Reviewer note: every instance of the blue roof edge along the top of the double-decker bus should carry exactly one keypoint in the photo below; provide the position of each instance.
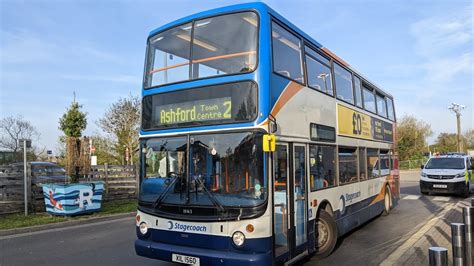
(261, 8)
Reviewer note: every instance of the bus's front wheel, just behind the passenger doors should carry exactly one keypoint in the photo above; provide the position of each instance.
(326, 237)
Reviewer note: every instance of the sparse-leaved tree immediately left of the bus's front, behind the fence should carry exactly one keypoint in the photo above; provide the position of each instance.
(122, 122)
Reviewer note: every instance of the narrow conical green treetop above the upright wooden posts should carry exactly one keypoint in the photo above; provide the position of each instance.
(73, 121)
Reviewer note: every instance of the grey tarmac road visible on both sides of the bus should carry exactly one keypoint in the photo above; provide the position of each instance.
(111, 242)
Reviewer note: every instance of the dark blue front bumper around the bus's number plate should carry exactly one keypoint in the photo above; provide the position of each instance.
(162, 251)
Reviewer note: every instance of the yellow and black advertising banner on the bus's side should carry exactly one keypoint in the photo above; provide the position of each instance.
(355, 124)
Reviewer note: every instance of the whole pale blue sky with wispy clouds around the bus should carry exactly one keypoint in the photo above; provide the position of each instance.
(420, 51)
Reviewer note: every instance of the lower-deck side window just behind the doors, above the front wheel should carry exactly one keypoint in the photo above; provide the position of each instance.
(322, 165)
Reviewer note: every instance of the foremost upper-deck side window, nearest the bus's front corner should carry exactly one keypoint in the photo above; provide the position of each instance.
(286, 54)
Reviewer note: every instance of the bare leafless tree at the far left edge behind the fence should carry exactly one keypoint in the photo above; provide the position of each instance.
(13, 129)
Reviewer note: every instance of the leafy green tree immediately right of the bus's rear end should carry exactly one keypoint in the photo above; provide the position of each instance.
(411, 137)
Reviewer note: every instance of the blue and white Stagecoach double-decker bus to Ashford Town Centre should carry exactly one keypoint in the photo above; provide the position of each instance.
(258, 145)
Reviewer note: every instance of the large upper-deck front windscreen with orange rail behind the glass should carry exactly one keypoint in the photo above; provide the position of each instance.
(220, 45)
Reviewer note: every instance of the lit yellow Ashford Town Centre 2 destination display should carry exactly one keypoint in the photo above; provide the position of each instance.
(194, 111)
